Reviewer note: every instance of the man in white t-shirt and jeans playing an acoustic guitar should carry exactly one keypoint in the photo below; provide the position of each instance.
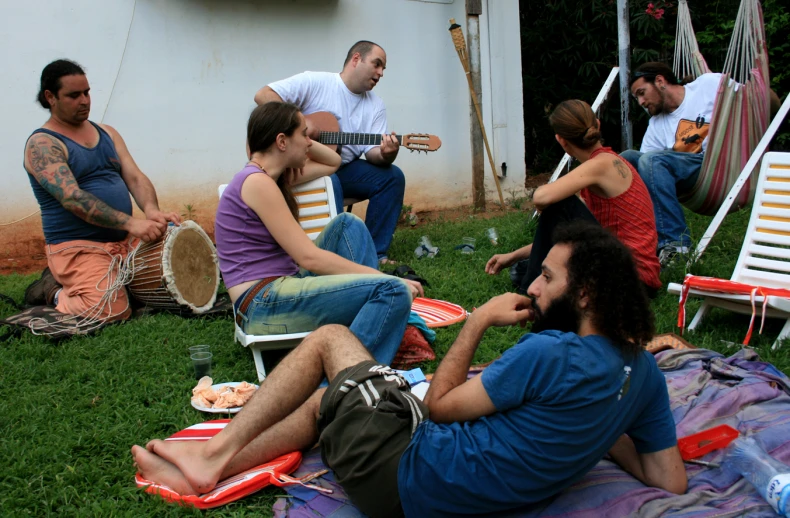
(349, 98)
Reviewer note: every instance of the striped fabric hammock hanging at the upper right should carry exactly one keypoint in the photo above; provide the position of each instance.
(742, 105)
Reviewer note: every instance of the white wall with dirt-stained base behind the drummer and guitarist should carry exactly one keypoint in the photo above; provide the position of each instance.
(177, 78)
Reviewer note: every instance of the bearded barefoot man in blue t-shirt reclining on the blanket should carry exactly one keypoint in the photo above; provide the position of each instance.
(530, 425)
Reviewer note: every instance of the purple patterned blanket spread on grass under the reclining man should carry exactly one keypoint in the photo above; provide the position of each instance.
(706, 389)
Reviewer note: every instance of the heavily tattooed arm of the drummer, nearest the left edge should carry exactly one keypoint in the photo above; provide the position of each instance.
(46, 160)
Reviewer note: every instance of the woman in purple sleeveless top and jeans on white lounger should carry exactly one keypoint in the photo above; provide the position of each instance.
(281, 281)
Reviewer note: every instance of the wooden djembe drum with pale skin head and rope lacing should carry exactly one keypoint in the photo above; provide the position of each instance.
(178, 271)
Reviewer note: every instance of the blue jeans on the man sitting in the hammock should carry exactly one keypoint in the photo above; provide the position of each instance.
(667, 173)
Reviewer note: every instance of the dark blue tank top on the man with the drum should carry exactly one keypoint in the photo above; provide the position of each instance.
(97, 171)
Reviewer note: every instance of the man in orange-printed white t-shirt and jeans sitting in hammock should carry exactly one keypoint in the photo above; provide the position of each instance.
(673, 147)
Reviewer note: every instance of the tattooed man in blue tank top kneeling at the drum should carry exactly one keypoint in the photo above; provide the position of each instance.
(82, 174)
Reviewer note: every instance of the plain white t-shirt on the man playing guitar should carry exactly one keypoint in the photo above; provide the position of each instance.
(326, 92)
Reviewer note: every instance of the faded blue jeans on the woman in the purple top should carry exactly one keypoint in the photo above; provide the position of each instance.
(375, 307)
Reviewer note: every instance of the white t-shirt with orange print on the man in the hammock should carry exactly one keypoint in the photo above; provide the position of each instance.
(686, 129)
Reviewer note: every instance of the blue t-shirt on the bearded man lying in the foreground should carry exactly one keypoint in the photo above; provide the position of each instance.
(562, 402)
